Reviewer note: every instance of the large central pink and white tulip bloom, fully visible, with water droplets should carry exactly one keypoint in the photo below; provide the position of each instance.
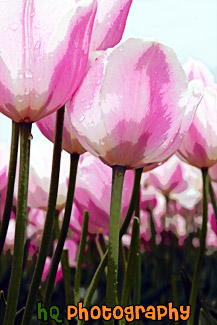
(133, 106)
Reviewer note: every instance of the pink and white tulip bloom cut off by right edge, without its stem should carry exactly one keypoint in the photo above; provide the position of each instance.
(199, 147)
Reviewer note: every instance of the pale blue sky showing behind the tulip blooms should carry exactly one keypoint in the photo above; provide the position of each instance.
(188, 26)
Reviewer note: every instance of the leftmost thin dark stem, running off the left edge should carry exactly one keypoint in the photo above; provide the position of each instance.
(10, 184)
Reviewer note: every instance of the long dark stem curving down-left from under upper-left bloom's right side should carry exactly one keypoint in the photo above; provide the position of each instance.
(49, 219)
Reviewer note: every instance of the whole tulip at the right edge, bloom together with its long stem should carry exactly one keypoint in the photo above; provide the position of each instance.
(199, 148)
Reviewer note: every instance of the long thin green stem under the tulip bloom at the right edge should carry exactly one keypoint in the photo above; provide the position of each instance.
(193, 295)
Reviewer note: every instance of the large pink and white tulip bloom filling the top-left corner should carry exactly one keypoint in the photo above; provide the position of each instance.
(44, 50)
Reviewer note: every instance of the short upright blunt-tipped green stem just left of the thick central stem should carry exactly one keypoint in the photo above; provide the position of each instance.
(80, 258)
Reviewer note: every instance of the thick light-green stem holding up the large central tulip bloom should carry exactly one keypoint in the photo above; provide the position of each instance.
(114, 225)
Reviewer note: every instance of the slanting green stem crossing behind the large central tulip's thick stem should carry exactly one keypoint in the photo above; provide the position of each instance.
(103, 263)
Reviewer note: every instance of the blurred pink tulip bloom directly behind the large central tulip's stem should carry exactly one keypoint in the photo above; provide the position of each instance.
(93, 192)
